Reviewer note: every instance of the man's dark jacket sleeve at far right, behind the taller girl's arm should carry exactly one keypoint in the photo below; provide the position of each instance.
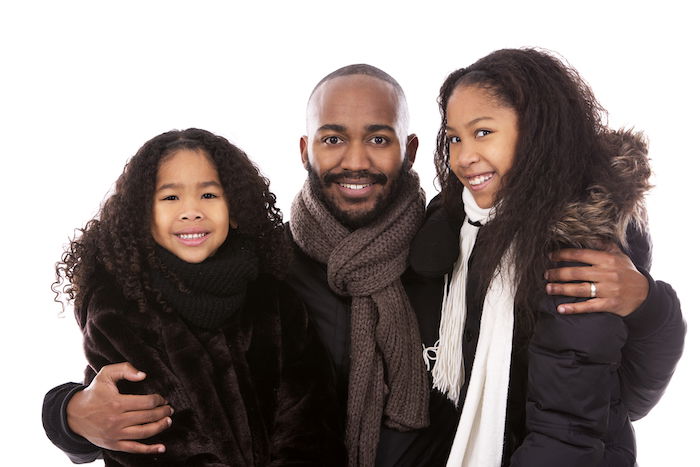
(655, 344)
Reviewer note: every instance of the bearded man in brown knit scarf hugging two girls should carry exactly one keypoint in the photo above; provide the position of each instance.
(351, 224)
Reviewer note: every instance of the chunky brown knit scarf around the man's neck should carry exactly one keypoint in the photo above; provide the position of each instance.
(388, 380)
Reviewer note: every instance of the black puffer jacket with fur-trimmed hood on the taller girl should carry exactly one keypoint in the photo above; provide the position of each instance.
(580, 379)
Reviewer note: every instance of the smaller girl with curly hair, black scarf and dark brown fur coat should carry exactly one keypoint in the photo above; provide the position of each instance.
(179, 275)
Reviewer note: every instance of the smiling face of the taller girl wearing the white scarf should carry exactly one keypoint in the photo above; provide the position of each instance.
(482, 135)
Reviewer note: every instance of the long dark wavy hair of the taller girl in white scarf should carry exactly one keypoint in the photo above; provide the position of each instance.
(560, 152)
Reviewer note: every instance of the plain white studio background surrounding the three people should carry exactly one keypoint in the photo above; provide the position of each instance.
(84, 84)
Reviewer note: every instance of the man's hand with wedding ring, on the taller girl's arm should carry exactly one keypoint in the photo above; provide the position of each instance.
(620, 288)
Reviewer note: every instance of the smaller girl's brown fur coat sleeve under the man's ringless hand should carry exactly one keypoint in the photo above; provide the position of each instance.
(112, 335)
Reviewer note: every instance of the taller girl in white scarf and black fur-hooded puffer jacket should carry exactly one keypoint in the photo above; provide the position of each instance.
(527, 167)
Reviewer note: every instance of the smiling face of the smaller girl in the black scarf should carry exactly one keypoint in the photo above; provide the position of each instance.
(190, 213)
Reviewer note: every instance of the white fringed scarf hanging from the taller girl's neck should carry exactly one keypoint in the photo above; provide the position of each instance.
(480, 433)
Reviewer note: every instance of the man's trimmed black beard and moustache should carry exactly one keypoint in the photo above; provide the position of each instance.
(355, 220)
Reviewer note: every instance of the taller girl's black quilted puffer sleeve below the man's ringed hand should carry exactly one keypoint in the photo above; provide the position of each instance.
(572, 376)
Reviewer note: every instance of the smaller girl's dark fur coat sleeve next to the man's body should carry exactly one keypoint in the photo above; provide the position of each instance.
(308, 423)
